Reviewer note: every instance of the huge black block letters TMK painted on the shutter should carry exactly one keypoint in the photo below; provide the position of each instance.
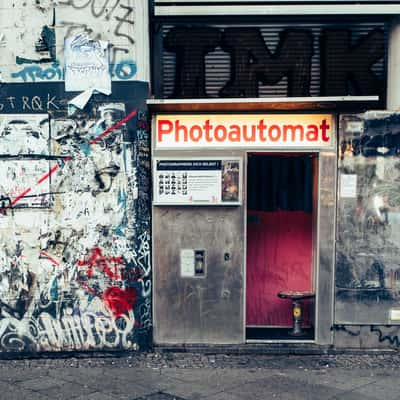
(346, 65)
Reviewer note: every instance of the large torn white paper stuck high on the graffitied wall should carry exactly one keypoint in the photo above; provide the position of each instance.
(86, 64)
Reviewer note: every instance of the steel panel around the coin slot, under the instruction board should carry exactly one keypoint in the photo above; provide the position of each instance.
(201, 309)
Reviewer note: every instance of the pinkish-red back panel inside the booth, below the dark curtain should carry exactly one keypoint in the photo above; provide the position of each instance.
(279, 257)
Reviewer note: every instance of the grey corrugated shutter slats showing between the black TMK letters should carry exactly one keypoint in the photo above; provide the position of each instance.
(218, 61)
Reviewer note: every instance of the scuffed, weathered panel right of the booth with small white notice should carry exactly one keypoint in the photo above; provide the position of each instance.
(368, 220)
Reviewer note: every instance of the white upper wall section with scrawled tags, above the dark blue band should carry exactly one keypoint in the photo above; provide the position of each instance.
(41, 57)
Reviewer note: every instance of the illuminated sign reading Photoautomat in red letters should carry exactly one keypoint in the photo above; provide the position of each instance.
(256, 130)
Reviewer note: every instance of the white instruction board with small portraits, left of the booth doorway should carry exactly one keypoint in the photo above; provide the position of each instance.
(197, 181)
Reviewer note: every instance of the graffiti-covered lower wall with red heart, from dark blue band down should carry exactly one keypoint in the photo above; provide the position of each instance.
(75, 225)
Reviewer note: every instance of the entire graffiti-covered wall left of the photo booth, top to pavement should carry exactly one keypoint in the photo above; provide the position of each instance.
(75, 270)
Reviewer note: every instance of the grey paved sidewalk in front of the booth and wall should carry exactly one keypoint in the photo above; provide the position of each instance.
(185, 376)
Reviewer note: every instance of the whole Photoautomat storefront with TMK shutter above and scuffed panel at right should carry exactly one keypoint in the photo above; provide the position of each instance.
(274, 174)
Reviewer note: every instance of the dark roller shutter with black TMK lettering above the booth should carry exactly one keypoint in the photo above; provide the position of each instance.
(269, 59)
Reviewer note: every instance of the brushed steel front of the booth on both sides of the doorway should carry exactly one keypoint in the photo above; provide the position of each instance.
(211, 309)
